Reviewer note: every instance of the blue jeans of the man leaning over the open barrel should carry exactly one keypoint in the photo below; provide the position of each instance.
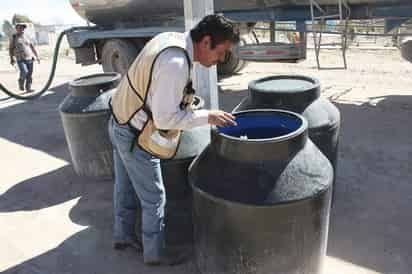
(137, 173)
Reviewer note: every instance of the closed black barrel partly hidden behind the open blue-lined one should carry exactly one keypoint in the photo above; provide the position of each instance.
(299, 94)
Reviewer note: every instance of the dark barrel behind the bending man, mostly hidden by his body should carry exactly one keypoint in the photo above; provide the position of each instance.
(178, 219)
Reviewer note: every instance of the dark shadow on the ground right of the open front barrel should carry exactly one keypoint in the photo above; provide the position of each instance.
(370, 223)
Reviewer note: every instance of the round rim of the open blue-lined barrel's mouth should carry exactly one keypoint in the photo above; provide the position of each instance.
(300, 130)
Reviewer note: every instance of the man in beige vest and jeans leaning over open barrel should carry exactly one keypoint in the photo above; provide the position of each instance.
(151, 106)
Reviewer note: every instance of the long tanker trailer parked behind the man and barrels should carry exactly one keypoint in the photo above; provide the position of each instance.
(121, 28)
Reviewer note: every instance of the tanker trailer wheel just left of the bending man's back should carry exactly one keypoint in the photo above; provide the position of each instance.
(117, 56)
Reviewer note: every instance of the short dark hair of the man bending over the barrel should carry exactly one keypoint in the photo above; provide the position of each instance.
(219, 28)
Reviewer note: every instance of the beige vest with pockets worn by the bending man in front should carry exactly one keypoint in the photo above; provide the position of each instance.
(132, 92)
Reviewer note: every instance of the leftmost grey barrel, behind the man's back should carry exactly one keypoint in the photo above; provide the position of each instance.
(84, 114)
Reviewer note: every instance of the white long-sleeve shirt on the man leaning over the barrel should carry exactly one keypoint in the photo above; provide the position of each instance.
(169, 78)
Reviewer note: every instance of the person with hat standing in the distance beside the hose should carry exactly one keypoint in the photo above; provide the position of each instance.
(22, 51)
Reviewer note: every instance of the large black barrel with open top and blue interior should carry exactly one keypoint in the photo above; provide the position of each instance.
(261, 197)
